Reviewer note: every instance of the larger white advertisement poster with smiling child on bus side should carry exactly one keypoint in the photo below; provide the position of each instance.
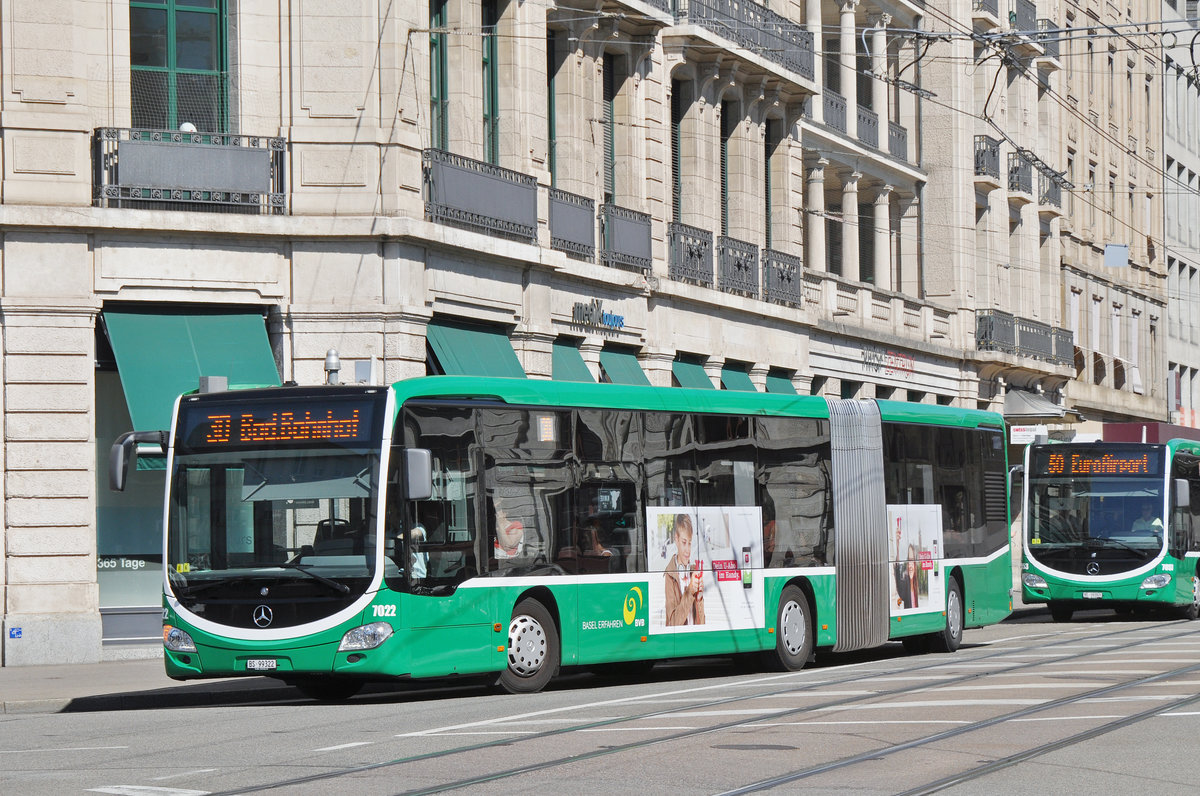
(711, 559)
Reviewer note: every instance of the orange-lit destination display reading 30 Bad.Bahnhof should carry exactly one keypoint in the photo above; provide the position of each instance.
(317, 422)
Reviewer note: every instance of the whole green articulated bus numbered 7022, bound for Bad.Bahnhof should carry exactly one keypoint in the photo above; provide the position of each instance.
(333, 536)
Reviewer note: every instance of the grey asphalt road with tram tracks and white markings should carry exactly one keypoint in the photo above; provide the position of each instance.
(1096, 707)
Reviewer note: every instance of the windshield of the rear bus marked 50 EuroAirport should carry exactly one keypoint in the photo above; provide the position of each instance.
(1082, 517)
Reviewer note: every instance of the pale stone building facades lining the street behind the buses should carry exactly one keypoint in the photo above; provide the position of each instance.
(701, 194)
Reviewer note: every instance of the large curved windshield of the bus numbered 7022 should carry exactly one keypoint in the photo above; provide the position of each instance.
(284, 519)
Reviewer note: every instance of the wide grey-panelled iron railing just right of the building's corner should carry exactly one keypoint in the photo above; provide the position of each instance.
(481, 196)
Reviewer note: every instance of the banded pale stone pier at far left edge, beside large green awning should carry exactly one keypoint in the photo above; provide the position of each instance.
(52, 602)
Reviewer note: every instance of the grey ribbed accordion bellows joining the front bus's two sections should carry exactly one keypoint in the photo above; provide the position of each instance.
(860, 511)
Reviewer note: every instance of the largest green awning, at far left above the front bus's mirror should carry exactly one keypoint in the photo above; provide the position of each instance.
(163, 355)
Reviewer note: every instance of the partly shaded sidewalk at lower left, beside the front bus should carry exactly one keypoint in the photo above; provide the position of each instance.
(125, 685)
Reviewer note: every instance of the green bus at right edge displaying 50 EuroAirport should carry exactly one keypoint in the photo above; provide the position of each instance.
(1113, 525)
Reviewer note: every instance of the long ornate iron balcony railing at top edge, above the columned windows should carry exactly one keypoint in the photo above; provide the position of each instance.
(754, 28)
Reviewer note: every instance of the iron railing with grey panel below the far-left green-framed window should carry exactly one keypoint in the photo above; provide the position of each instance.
(171, 170)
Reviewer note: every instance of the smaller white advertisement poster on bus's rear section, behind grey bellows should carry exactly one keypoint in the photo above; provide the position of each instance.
(915, 550)
